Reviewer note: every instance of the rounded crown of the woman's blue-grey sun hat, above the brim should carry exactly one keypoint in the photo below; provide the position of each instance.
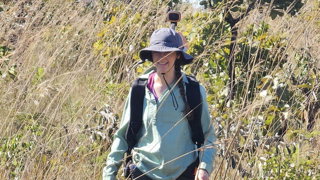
(166, 37)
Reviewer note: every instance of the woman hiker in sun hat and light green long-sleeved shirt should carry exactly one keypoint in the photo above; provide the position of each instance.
(165, 149)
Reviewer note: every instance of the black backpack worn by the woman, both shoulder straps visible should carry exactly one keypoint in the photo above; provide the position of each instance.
(194, 100)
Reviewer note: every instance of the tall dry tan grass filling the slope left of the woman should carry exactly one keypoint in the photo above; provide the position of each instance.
(51, 109)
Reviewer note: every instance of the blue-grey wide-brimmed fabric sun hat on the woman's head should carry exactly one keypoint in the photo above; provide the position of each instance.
(165, 40)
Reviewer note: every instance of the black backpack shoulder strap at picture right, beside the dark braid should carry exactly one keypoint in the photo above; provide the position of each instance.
(194, 100)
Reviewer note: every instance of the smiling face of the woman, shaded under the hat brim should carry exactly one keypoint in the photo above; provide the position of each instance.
(164, 61)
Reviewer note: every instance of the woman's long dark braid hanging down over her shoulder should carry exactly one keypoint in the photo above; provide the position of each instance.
(178, 74)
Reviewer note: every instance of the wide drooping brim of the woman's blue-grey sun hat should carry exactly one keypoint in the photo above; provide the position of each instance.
(146, 53)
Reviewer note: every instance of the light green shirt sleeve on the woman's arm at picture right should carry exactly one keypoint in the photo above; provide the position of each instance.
(208, 153)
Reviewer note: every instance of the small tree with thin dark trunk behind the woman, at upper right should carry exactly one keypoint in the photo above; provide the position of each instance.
(234, 11)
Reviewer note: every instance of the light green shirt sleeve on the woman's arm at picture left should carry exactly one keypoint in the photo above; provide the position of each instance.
(119, 145)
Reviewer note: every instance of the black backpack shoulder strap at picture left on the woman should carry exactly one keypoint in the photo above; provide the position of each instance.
(136, 112)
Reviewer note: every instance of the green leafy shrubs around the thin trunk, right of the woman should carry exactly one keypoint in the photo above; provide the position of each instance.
(264, 74)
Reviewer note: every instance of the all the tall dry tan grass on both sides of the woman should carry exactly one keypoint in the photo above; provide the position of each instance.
(69, 59)
